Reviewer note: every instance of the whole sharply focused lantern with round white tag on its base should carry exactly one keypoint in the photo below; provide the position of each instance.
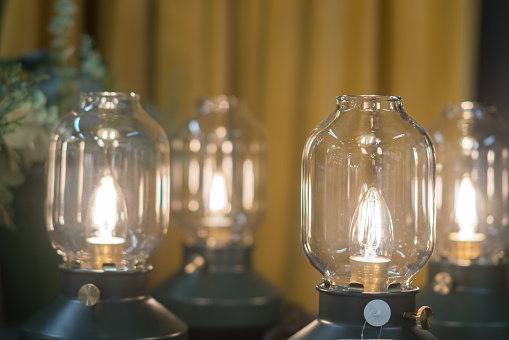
(368, 176)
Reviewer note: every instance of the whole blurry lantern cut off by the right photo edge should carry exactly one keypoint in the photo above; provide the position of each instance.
(468, 286)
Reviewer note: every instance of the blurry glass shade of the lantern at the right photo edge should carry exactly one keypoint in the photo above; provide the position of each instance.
(472, 149)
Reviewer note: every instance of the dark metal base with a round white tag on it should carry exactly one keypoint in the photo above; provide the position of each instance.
(344, 315)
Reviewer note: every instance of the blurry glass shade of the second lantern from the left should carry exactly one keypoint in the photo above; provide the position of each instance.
(218, 166)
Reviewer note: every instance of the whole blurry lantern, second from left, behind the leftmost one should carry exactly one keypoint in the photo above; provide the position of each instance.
(218, 170)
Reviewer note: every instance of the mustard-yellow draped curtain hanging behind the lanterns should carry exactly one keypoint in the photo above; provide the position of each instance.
(288, 60)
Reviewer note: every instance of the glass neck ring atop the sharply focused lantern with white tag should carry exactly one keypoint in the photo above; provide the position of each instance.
(369, 103)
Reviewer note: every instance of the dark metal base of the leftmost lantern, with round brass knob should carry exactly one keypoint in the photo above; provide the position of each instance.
(103, 305)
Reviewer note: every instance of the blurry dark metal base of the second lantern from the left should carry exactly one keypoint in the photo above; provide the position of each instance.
(219, 296)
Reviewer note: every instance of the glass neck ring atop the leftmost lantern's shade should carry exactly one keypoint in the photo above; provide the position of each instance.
(110, 101)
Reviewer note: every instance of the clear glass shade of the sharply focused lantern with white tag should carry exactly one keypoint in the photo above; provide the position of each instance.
(368, 176)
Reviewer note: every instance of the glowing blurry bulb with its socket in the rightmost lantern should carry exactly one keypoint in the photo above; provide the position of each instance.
(466, 243)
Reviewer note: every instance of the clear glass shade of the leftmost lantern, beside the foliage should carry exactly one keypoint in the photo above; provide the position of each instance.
(108, 184)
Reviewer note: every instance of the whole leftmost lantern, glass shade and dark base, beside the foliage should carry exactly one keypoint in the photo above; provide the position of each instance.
(107, 210)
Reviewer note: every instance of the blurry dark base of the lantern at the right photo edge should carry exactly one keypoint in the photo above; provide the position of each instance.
(470, 302)
